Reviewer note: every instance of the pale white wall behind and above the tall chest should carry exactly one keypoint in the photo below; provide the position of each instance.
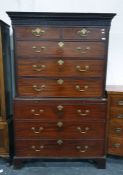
(115, 58)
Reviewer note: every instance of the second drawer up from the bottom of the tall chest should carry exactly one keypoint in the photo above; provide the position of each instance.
(59, 129)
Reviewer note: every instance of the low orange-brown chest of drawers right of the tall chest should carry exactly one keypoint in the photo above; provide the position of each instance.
(115, 120)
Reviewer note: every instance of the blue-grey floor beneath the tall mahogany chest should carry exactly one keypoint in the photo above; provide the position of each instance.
(114, 167)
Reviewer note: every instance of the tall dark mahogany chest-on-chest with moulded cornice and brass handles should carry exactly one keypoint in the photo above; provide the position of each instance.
(60, 71)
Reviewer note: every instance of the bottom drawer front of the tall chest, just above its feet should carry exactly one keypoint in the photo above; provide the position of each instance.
(53, 148)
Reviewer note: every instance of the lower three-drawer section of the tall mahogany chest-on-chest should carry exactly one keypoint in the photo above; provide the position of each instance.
(59, 127)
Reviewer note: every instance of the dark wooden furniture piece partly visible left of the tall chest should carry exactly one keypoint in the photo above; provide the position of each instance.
(5, 88)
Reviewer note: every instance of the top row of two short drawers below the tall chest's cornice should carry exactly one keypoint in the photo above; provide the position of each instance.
(51, 32)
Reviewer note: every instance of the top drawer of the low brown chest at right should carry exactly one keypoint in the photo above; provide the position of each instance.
(116, 101)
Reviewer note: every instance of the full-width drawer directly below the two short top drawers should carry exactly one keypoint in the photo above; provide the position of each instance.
(60, 49)
